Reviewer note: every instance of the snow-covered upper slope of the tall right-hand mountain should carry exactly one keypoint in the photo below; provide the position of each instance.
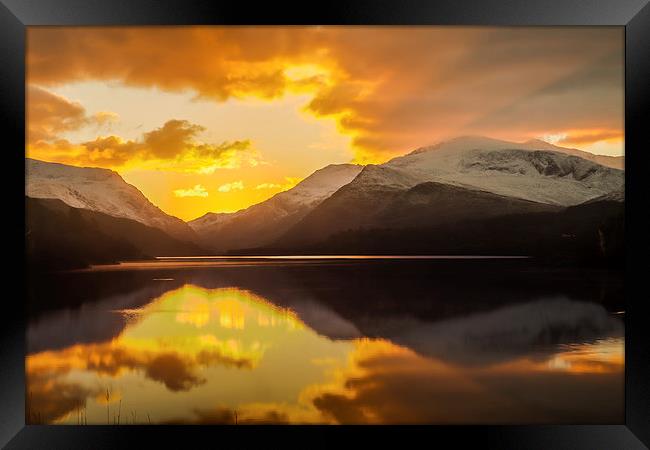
(508, 168)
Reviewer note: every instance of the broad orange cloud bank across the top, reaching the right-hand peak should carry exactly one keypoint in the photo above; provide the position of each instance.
(391, 89)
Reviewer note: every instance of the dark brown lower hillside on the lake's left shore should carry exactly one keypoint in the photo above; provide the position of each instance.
(62, 237)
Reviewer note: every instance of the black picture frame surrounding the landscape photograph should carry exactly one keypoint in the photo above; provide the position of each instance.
(634, 15)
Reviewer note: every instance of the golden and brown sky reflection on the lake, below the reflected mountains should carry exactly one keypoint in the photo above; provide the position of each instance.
(227, 355)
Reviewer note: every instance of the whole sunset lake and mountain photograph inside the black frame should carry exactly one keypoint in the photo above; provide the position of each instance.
(231, 225)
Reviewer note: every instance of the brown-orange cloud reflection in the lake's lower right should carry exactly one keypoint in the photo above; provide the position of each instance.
(392, 385)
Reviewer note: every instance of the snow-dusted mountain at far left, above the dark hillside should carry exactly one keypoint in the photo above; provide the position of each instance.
(99, 190)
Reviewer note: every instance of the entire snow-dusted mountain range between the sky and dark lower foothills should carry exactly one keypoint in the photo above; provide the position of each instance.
(465, 178)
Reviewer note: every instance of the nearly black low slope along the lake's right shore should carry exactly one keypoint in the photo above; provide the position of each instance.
(590, 234)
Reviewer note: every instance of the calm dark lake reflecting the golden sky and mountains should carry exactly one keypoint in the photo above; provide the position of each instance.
(312, 341)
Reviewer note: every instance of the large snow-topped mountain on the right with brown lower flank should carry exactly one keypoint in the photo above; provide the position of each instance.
(446, 185)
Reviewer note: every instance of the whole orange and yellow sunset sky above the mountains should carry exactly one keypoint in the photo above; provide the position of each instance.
(215, 119)
